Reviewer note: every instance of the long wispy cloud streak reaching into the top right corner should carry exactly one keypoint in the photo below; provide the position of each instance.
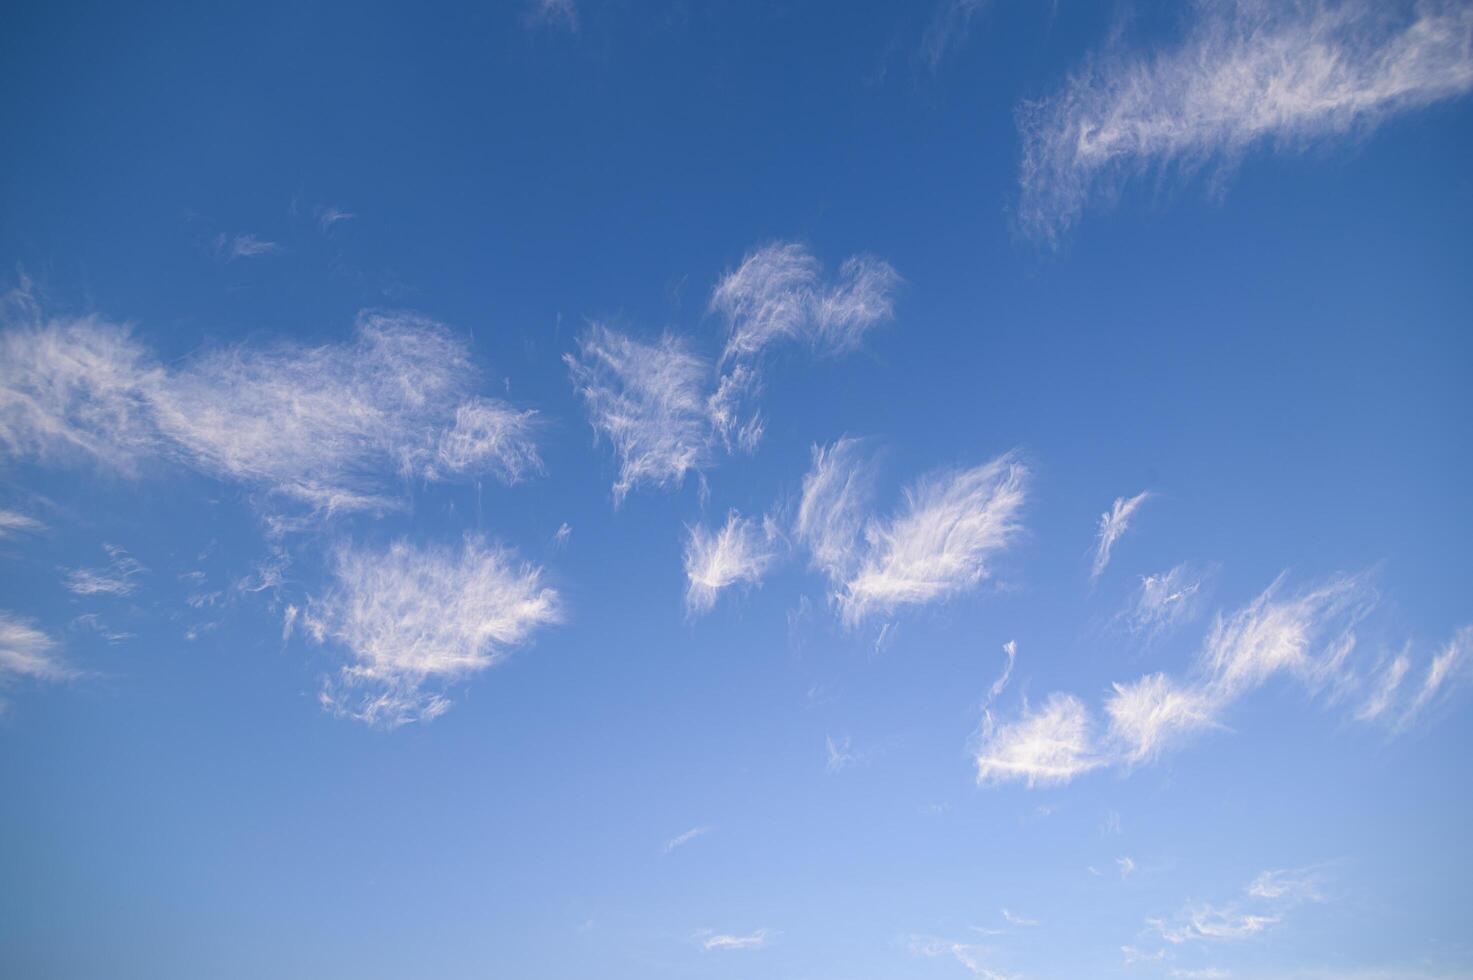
(1248, 74)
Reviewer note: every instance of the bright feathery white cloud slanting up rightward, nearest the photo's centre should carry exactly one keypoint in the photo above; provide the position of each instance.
(942, 542)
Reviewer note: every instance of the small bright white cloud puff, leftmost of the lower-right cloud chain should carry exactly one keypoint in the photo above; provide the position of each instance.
(1044, 748)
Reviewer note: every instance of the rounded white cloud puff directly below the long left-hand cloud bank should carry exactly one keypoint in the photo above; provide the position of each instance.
(419, 618)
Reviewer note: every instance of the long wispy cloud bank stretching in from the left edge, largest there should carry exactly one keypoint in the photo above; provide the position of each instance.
(334, 427)
